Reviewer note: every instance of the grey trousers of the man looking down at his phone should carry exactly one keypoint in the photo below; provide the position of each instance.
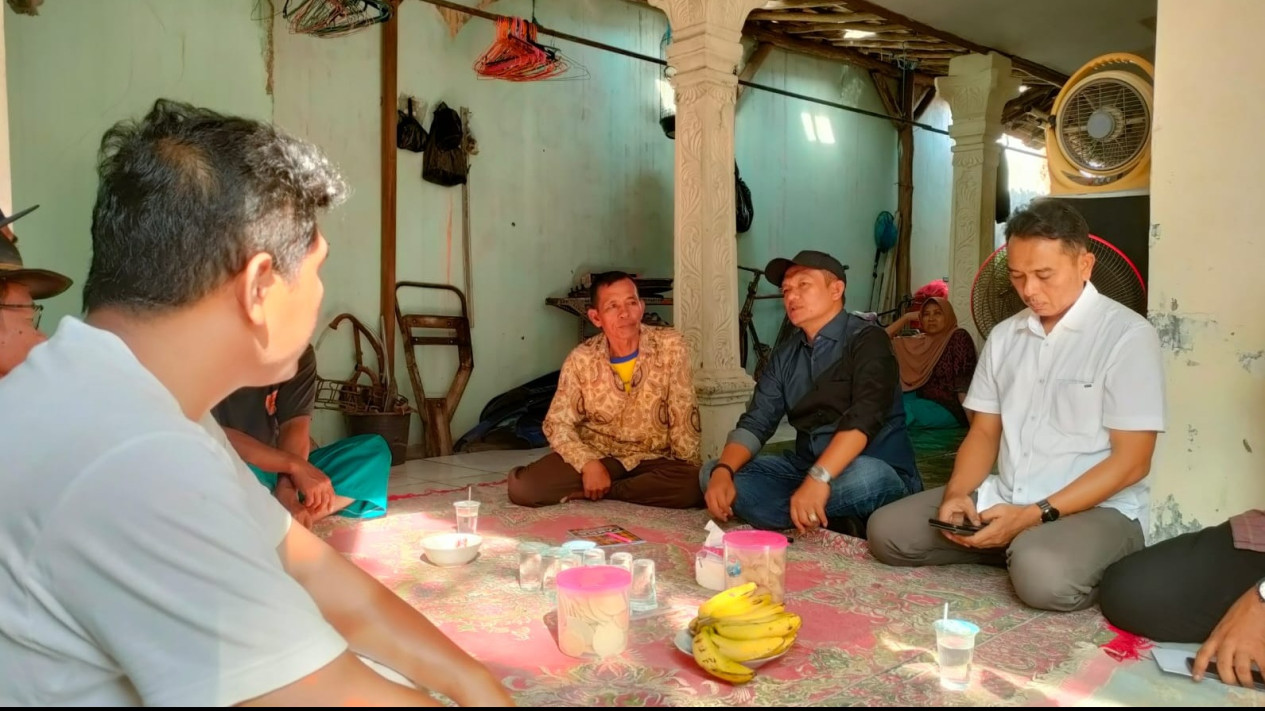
(1054, 566)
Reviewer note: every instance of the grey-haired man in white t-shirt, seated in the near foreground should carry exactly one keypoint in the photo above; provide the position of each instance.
(141, 562)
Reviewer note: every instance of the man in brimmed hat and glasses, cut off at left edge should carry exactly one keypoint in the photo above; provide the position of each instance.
(20, 289)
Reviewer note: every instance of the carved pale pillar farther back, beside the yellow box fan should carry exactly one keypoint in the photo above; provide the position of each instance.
(977, 89)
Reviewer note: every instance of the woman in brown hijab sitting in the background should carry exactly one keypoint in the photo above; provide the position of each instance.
(937, 366)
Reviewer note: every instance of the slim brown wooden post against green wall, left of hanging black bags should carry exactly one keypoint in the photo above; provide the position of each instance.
(390, 90)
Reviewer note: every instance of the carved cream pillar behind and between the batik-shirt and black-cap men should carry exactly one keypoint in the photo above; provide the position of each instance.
(707, 49)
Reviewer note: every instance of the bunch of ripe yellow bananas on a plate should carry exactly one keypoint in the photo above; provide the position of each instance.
(737, 627)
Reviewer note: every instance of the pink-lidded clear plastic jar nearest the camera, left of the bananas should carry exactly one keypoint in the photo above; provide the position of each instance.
(594, 612)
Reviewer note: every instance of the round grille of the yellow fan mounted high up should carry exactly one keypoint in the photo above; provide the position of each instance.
(1105, 125)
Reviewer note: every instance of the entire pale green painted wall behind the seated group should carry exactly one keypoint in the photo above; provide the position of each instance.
(572, 176)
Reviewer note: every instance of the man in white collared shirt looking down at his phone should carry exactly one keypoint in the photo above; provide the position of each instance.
(1068, 400)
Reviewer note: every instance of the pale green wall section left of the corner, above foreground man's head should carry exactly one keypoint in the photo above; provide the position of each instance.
(83, 65)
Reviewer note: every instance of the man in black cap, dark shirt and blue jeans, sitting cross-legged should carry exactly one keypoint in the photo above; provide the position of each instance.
(839, 385)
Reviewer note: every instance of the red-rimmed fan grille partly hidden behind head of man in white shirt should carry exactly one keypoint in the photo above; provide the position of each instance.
(994, 299)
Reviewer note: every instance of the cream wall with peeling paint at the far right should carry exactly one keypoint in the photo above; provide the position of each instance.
(1207, 261)
